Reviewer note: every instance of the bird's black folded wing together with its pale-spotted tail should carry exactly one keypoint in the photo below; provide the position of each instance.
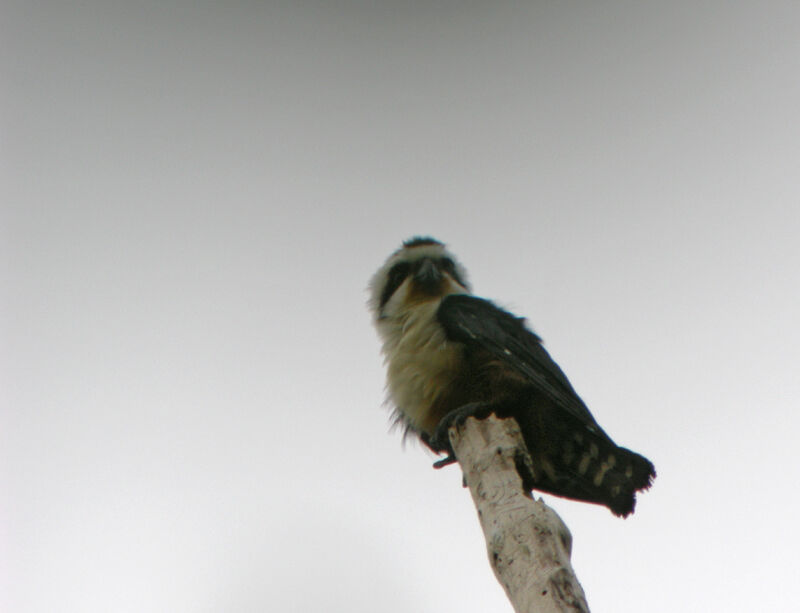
(571, 455)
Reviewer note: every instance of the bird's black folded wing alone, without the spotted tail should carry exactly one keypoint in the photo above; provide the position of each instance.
(478, 323)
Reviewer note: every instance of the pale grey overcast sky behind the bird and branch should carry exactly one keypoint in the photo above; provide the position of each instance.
(194, 197)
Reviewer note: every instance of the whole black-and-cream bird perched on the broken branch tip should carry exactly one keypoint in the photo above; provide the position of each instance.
(450, 355)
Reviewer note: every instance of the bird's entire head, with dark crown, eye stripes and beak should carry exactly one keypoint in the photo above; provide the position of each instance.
(420, 271)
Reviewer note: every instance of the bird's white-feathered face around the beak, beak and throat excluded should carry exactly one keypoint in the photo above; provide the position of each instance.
(391, 286)
